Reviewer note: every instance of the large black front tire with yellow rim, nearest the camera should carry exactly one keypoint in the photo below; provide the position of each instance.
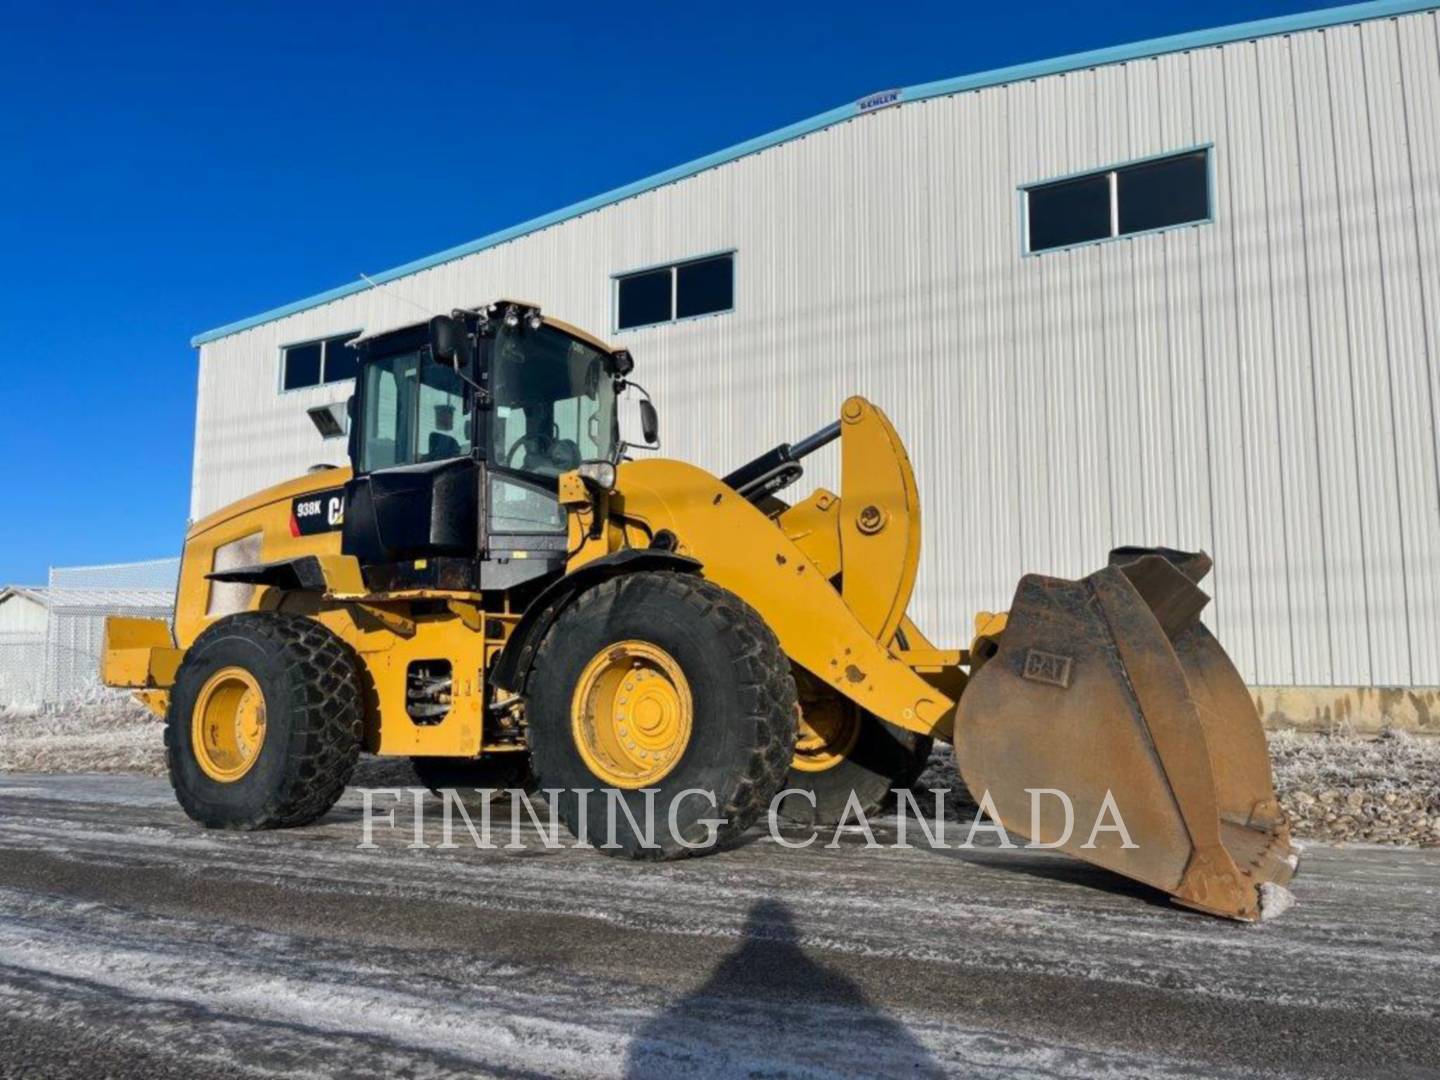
(735, 686)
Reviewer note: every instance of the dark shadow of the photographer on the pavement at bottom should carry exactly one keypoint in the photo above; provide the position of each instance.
(762, 1006)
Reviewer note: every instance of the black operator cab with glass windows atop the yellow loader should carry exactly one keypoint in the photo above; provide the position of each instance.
(460, 433)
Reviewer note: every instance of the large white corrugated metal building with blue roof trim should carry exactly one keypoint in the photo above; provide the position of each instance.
(1259, 382)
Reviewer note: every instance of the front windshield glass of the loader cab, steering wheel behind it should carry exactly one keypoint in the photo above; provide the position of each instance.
(554, 402)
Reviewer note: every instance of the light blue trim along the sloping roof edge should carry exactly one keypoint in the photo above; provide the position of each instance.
(1157, 47)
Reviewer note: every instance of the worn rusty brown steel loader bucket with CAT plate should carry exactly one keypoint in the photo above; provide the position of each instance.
(1112, 692)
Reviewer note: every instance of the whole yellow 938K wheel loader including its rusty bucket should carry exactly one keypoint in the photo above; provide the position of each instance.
(496, 590)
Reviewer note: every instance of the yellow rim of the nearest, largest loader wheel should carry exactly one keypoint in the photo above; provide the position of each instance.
(631, 715)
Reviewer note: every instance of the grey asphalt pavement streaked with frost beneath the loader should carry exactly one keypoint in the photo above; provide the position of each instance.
(136, 945)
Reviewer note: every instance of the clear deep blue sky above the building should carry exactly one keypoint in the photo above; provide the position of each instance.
(169, 169)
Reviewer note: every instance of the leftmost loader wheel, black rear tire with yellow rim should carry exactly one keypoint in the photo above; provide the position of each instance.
(309, 722)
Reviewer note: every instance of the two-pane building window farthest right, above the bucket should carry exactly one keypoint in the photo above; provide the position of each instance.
(1158, 194)
